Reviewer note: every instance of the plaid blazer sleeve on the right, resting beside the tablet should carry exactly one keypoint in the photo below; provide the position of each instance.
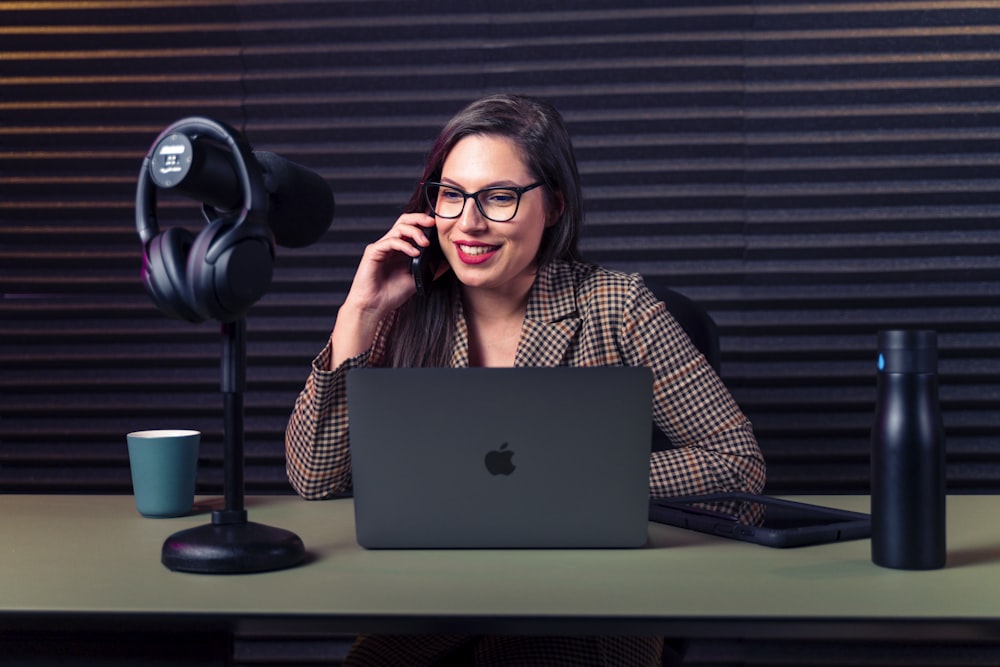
(714, 447)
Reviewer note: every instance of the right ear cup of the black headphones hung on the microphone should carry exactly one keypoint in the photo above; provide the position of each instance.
(226, 289)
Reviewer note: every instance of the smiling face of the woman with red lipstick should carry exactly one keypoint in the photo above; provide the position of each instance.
(483, 253)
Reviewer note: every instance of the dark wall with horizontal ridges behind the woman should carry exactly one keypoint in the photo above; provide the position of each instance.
(810, 172)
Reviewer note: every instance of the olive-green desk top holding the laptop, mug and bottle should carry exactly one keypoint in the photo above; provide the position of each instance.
(92, 562)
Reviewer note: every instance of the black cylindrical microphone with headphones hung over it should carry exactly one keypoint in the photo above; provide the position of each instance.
(300, 202)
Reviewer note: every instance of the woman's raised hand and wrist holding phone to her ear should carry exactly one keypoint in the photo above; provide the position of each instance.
(382, 283)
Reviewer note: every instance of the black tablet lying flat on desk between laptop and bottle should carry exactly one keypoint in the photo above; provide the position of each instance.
(773, 522)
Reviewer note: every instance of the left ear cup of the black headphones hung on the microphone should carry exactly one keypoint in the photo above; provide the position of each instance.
(164, 273)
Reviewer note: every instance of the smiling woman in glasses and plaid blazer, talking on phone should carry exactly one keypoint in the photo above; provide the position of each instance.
(501, 190)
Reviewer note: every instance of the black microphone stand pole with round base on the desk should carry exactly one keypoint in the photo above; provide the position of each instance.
(231, 544)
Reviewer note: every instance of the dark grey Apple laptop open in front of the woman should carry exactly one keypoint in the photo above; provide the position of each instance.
(452, 458)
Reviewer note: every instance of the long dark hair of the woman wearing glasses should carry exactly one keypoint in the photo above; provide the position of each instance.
(422, 334)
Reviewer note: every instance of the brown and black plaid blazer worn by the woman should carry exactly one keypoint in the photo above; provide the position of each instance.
(578, 315)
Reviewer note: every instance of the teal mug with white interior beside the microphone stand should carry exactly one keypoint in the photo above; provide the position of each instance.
(164, 467)
